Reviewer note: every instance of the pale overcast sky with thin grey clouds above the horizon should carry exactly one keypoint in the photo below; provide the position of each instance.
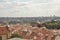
(29, 8)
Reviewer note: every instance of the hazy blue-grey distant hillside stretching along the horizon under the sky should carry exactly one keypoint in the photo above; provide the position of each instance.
(27, 19)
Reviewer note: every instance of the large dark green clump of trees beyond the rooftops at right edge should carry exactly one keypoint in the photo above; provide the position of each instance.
(52, 25)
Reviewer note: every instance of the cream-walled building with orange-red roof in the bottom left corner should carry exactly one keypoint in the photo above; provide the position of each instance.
(4, 33)
